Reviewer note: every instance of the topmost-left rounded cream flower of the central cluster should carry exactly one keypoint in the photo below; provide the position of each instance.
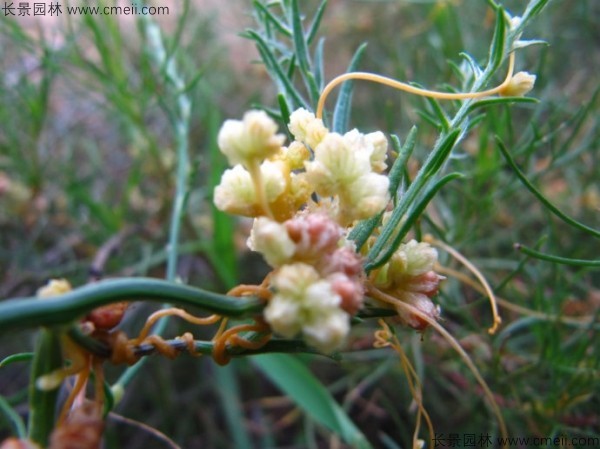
(251, 140)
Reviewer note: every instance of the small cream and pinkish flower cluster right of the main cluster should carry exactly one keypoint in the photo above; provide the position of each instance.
(409, 276)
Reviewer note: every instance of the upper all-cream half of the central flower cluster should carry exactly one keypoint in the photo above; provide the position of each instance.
(344, 170)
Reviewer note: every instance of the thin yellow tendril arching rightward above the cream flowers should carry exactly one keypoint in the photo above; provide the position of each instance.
(366, 76)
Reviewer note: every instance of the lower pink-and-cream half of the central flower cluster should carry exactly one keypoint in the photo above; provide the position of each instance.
(317, 282)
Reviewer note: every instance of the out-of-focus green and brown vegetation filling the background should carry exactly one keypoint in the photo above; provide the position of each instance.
(87, 163)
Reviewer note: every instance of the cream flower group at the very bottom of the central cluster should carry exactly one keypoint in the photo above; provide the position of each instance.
(305, 303)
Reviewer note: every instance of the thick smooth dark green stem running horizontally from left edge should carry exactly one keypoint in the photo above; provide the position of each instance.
(64, 309)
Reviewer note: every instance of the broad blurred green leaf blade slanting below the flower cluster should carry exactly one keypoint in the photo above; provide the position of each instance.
(295, 380)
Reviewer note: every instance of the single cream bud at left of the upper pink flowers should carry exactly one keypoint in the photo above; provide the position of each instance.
(271, 240)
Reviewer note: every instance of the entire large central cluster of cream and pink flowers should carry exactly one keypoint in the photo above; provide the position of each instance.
(303, 197)
